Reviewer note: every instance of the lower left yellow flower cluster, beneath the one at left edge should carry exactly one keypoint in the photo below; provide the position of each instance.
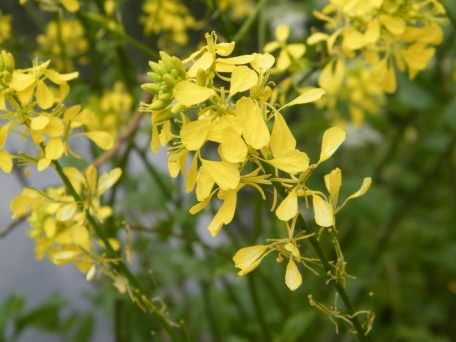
(59, 223)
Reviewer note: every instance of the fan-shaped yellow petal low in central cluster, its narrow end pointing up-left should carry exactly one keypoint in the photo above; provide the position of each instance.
(226, 175)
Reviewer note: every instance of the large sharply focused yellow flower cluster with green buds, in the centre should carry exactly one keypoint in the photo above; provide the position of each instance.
(218, 111)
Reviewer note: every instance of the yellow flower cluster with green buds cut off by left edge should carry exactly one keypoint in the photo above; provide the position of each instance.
(31, 107)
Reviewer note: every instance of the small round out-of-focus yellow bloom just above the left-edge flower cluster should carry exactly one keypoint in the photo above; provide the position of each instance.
(63, 42)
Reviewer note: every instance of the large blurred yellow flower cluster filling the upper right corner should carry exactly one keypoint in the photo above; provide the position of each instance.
(378, 37)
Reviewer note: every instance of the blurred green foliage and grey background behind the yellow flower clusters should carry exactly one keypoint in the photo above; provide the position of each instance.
(399, 240)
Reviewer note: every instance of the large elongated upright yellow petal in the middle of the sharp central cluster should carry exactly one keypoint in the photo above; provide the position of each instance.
(255, 130)
